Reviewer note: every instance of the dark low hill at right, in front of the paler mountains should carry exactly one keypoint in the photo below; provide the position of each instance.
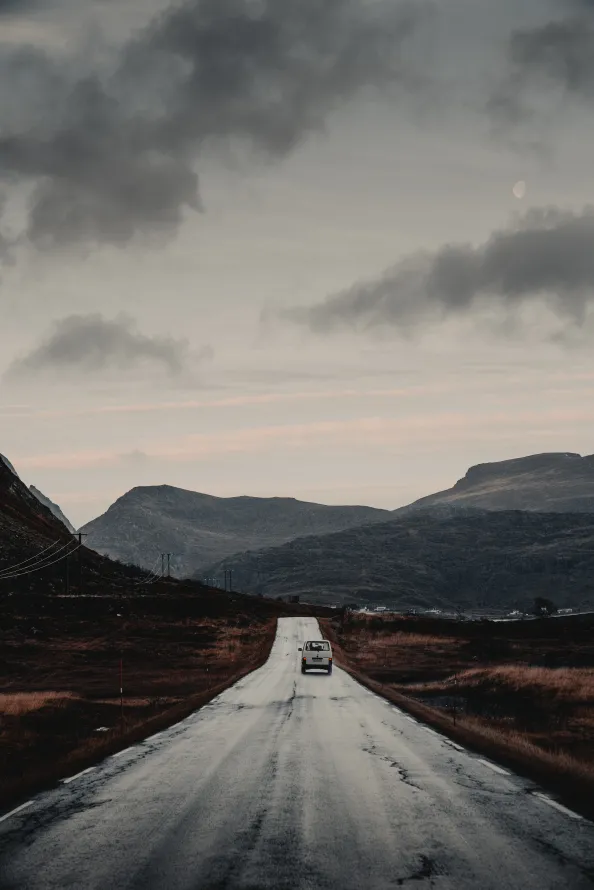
(435, 558)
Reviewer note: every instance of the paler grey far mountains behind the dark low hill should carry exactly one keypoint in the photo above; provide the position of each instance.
(200, 530)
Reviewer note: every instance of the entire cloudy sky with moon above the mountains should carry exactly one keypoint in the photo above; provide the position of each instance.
(337, 250)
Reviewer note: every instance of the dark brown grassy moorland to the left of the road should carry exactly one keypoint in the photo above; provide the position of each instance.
(63, 660)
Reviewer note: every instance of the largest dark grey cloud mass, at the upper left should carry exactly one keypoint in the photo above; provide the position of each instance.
(118, 159)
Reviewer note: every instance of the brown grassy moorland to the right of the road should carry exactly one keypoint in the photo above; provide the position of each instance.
(521, 693)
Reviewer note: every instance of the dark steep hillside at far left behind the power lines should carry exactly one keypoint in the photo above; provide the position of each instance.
(39, 559)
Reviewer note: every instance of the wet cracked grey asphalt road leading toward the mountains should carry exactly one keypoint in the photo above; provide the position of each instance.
(291, 781)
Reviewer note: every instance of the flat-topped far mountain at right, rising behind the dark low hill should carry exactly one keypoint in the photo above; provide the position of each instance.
(554, 482)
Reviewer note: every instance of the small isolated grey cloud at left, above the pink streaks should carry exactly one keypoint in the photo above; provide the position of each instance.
(92, 343)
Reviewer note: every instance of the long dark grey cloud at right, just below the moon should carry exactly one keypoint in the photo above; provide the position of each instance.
(548, 254)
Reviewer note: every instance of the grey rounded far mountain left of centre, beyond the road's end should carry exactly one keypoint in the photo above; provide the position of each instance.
(198, 529)
